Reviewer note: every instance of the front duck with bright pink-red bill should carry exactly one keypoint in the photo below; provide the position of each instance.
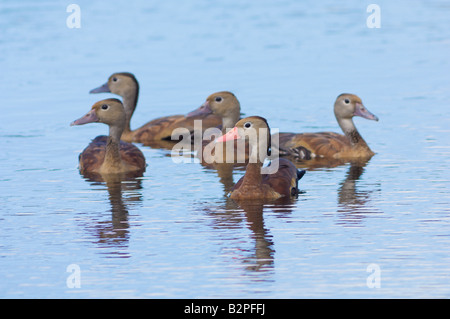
(281, 182)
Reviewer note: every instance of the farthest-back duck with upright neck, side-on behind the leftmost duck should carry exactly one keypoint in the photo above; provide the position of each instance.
(126, 85)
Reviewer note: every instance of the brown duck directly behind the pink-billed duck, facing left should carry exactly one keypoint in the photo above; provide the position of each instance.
(226, 106)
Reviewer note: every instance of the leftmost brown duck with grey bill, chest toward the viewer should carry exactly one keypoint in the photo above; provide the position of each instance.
(108, 154)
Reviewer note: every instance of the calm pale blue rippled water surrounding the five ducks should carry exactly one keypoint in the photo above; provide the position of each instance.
(173, 233)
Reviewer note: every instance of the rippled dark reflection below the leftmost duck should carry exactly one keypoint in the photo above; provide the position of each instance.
(114, 231)
